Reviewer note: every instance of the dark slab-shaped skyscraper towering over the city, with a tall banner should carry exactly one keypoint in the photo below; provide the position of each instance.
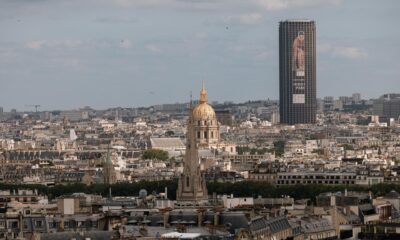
(297, 72)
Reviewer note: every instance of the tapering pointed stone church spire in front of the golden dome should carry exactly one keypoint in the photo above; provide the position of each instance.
(191, 184)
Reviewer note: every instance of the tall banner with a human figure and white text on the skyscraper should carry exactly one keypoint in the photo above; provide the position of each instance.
(298, 68)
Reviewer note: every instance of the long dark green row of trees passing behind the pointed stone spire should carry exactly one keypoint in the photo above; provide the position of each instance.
(239, 189)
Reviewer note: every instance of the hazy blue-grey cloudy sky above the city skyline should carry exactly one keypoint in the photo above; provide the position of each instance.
(66, 54)
